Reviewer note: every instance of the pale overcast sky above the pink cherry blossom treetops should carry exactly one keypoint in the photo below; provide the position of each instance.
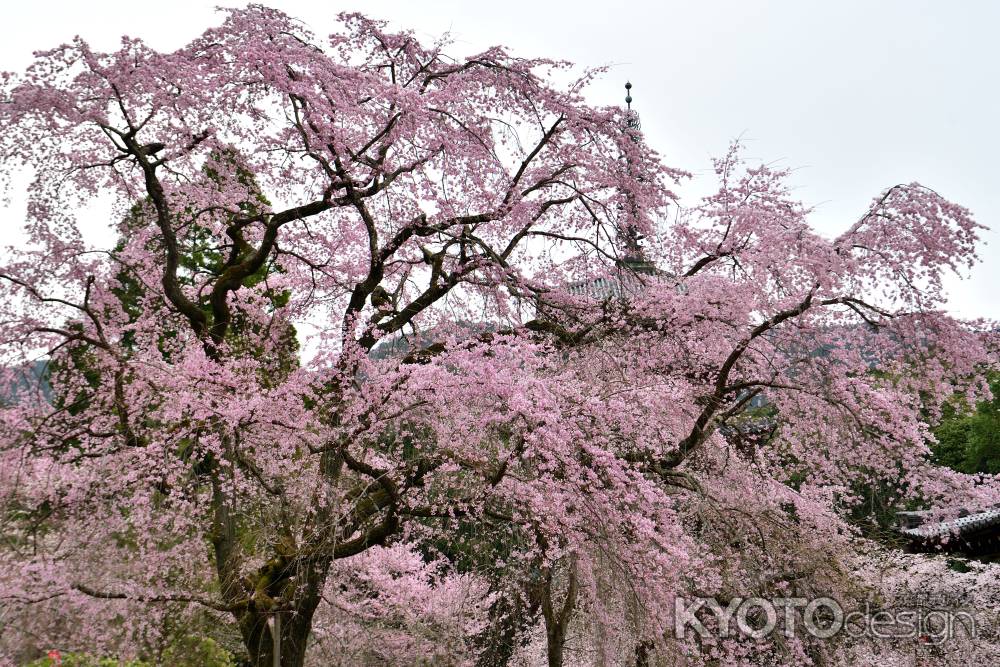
(853, 95)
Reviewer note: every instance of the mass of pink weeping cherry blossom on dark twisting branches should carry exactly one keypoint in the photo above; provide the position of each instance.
(370, 360)
